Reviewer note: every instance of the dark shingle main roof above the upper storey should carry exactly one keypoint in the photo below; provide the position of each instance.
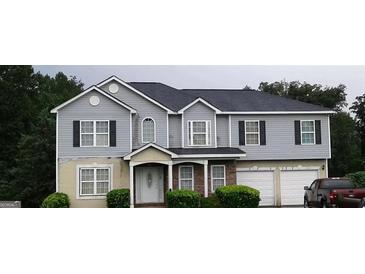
(223, 99)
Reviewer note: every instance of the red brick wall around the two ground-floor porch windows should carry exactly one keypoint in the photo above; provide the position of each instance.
(199, 174)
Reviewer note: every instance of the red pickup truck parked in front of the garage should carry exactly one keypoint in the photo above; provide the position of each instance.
(333, 192)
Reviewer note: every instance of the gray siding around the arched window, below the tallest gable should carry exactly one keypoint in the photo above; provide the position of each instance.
(144, 109)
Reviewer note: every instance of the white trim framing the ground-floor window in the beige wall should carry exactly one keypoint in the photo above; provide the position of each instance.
(78, 181)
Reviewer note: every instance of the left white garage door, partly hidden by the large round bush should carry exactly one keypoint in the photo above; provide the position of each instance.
(262, 181)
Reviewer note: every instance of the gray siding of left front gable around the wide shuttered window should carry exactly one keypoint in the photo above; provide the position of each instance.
(82, 110)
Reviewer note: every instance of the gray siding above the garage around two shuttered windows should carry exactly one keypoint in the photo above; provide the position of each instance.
(280, 143)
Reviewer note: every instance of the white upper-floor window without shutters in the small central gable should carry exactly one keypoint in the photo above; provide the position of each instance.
(199, 133)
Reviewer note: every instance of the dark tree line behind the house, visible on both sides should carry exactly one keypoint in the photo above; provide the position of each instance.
(28, 129)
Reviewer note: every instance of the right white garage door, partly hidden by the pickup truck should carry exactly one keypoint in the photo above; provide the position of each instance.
(292, 185)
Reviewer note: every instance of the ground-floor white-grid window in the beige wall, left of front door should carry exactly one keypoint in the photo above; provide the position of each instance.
(94, 181)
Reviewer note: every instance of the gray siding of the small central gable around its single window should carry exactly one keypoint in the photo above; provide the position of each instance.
(199, 111)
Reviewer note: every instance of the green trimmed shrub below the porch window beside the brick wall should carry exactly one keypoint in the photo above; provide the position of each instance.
(183, 198)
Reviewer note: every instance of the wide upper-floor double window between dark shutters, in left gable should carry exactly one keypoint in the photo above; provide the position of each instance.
(94, 133)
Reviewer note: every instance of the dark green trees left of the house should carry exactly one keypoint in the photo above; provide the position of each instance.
(30, 162)
